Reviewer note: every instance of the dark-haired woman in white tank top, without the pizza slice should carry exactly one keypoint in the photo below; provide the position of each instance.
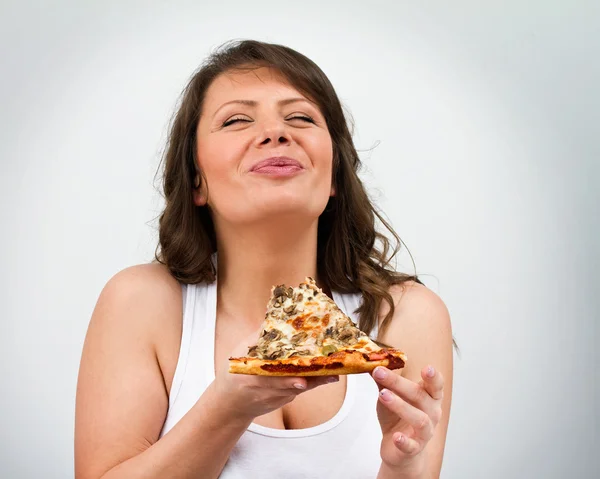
(261, 169)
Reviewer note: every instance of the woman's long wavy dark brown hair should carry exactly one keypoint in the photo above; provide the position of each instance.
(352, 256)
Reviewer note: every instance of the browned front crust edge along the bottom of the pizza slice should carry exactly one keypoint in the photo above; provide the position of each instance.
(342, 362)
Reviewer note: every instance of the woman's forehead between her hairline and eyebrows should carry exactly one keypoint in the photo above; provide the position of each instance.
(254, 84)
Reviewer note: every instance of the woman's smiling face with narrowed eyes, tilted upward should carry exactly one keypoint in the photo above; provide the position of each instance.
(264, 150)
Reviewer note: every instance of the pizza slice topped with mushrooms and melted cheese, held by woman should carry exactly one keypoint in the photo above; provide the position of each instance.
(306, 334)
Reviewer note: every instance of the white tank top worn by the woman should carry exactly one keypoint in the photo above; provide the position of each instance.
(346, 446)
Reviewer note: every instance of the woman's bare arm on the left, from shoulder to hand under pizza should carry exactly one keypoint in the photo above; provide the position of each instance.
(122, 392)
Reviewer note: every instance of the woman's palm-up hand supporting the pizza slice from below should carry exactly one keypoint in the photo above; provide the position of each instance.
(248, 396)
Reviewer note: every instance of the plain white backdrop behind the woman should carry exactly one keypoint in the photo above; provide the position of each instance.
(486, 116)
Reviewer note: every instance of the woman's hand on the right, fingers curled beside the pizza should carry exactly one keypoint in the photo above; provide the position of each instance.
(408, 413)
